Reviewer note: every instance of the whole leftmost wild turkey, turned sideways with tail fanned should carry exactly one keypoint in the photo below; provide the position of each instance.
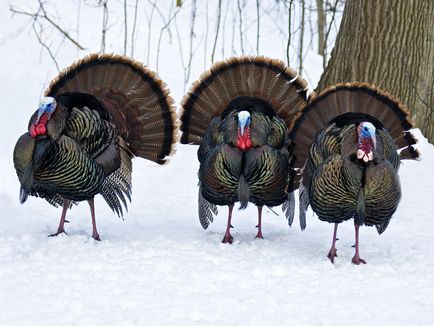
(95, 117)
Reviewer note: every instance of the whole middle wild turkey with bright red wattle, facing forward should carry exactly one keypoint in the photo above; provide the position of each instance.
(238, 112)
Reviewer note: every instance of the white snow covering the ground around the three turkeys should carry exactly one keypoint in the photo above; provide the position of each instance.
(159, 267)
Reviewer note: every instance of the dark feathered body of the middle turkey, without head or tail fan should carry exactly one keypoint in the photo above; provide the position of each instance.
(259, 174)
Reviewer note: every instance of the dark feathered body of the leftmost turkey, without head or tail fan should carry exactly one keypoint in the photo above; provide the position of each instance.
(80, 149)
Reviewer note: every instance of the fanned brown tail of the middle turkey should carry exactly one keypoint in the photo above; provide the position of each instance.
(259, 77)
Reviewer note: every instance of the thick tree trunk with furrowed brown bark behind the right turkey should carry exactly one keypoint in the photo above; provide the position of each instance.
(389, 43)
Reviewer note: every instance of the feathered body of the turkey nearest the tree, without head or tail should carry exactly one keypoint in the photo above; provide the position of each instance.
(341, 186)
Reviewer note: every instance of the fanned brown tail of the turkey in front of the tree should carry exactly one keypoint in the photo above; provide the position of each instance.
(352, 97)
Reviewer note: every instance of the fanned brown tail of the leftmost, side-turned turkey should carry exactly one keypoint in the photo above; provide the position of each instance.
(137, 99)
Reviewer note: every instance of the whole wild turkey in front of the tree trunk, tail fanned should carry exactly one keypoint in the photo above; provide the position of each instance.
(348, 139)
